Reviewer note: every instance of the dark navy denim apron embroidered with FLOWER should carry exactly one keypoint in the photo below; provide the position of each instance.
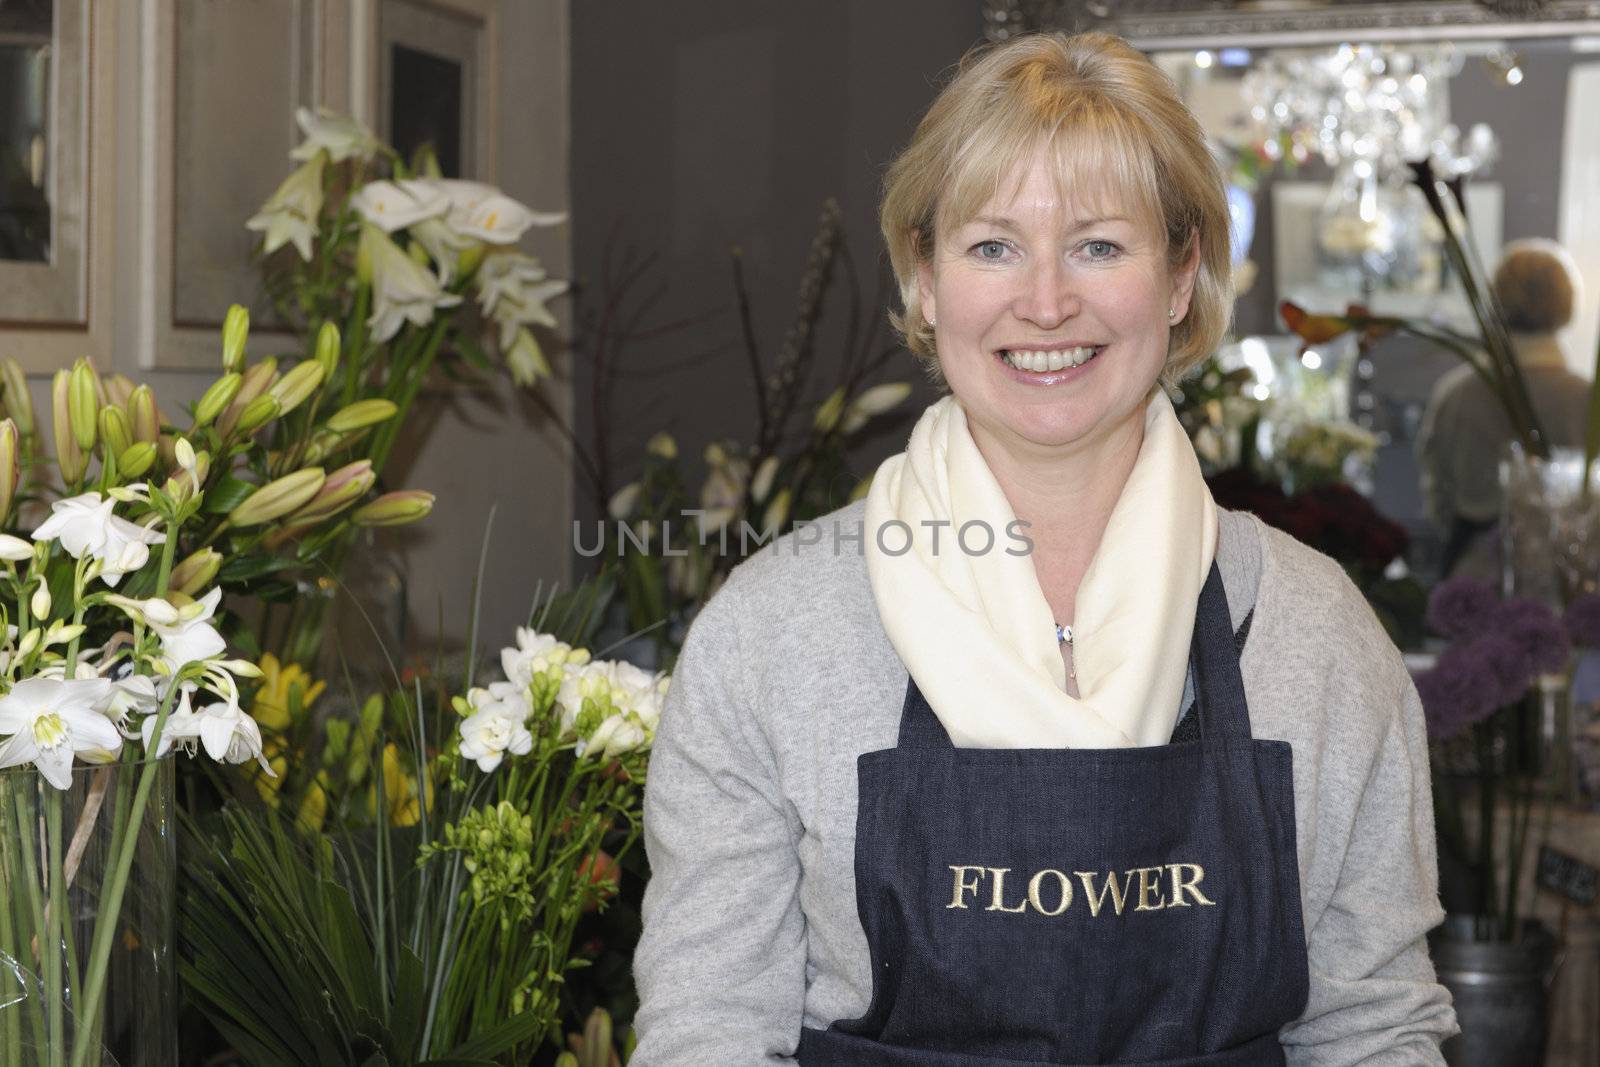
(1073, 906)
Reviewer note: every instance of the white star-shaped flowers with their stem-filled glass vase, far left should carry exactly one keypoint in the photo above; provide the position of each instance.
(97, 687)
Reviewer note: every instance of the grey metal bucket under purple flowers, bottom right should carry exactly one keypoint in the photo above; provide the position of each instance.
(1502, 993)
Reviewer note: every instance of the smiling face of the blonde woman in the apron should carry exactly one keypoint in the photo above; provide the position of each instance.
(1052, 324)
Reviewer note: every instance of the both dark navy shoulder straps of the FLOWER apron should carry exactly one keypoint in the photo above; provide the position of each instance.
(1214, 657)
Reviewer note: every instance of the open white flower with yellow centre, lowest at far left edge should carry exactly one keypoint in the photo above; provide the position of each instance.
(50, 722)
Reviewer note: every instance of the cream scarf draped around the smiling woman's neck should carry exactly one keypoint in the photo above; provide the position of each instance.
(974, 628)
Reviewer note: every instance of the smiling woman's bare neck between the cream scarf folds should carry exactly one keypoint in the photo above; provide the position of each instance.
(1066, 498)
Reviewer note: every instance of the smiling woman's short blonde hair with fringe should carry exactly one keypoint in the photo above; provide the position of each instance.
(1119, 135)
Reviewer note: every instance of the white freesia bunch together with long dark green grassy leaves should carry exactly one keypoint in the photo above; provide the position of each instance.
(449, 940)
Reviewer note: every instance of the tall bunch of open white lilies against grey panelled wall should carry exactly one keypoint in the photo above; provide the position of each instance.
(385, 254)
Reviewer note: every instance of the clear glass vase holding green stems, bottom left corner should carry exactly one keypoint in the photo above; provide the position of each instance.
(87, 901)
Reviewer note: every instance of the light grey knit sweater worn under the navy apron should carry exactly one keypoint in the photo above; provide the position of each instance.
(786, 677)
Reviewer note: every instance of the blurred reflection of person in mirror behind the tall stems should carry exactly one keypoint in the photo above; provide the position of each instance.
(1465, 430)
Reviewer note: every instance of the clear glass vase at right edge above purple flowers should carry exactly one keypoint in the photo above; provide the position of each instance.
(1550, 527)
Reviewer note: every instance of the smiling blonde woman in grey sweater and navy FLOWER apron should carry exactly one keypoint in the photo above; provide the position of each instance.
(913, 797)
